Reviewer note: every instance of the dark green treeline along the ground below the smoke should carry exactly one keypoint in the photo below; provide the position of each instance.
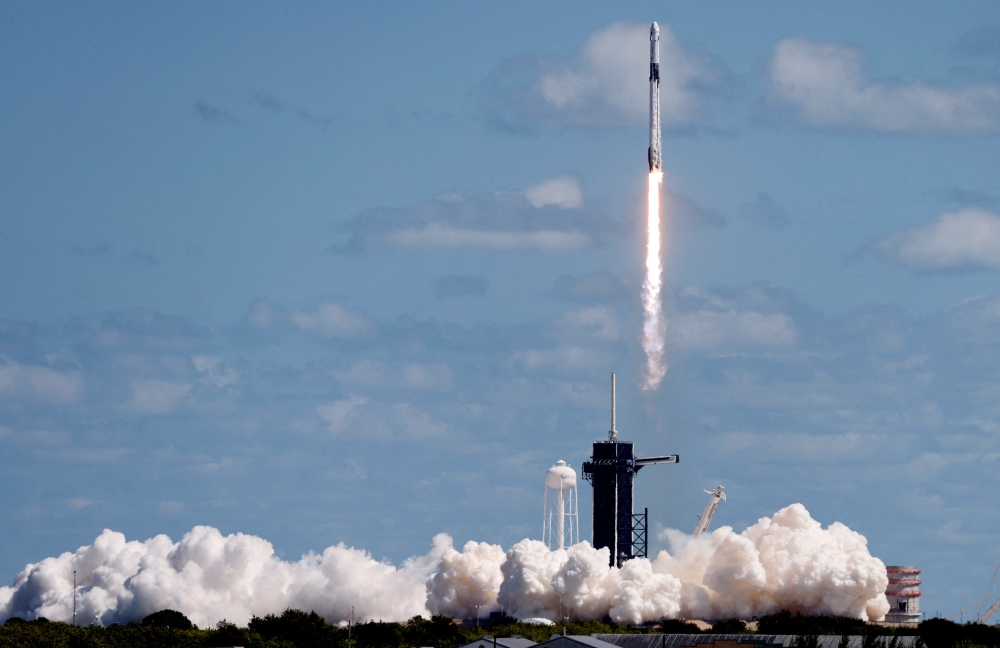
(297, 629)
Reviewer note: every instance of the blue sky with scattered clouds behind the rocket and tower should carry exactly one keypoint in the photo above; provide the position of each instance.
(343, 272)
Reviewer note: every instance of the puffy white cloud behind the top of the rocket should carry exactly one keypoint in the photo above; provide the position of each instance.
(607, 83)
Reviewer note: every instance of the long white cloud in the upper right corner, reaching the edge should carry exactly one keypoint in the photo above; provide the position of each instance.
(826, 83)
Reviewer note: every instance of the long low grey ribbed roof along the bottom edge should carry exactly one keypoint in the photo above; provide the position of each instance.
(739, 641)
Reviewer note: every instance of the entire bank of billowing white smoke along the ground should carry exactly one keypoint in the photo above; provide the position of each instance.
(787, 561)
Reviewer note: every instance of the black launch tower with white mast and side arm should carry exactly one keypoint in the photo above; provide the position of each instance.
(611, 471)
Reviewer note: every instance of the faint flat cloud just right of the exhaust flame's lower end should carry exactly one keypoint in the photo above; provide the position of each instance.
(714, 330)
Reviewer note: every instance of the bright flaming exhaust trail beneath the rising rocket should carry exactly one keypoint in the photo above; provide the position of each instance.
(654, 326)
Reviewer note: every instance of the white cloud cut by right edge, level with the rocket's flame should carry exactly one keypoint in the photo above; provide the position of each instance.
(967, 238)
